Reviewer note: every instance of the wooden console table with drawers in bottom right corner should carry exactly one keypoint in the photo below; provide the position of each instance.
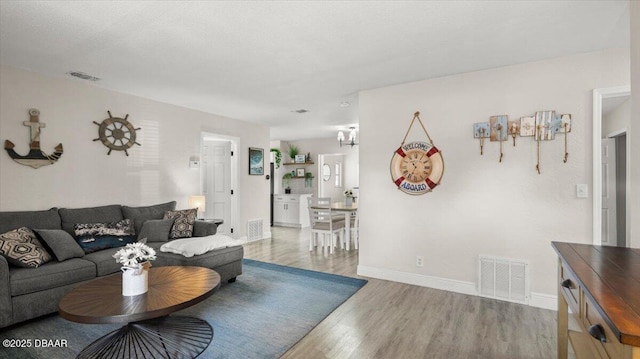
(601, 286)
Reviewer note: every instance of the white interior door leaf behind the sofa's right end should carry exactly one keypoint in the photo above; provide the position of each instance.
(216, 163)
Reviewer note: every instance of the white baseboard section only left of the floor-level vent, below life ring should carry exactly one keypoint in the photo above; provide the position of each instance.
(451, 285)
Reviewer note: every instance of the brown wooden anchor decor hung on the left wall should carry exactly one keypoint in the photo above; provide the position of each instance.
(35, 158)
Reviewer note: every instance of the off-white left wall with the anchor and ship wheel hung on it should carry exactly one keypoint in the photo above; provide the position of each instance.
(157, 171)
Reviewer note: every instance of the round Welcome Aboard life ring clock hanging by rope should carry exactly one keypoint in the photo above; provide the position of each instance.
(417, 167)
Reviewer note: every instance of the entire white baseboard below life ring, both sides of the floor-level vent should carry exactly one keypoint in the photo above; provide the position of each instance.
(539, 300)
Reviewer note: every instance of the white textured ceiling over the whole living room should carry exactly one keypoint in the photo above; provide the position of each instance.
(259, 61)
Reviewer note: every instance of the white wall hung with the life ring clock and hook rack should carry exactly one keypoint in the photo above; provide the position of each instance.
(482, 206)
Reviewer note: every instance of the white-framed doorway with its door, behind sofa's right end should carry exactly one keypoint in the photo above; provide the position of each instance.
(219, 179)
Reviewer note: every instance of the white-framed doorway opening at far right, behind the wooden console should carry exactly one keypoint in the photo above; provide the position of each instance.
(610, 177)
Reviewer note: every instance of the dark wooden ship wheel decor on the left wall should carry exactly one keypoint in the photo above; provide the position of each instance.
(117, 133)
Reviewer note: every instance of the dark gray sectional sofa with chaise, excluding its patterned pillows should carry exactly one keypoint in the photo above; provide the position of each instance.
(27, 293)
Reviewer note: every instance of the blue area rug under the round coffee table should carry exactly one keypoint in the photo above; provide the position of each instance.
(263, 314)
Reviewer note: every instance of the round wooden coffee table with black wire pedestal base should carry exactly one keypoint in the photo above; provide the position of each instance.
(150, 332)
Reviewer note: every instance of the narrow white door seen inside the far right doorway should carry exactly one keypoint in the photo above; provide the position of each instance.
(609, 224)
